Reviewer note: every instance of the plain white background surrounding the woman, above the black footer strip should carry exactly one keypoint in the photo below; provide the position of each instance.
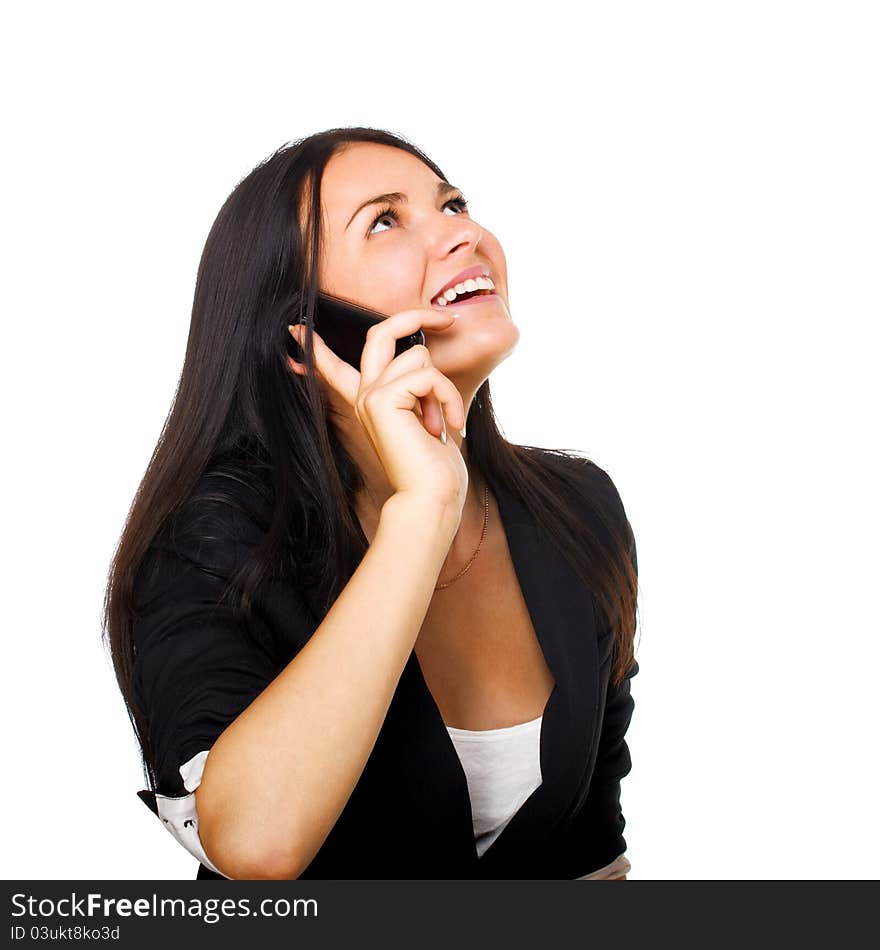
(688, 197)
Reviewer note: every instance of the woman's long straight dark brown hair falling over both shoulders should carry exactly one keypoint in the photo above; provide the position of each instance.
(238, 398)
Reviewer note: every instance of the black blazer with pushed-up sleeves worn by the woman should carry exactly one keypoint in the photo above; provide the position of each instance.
(409, 815)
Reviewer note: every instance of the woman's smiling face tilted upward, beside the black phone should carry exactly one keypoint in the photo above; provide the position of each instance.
(398, 255)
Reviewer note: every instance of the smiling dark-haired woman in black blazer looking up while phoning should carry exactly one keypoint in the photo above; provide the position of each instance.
(358, 633)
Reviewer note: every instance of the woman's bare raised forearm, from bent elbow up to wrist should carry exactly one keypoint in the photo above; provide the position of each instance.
(277, 779)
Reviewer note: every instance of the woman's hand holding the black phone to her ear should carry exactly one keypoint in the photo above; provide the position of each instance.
(384, 395)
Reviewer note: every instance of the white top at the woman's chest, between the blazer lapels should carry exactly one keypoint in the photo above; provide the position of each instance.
(503, 768)
